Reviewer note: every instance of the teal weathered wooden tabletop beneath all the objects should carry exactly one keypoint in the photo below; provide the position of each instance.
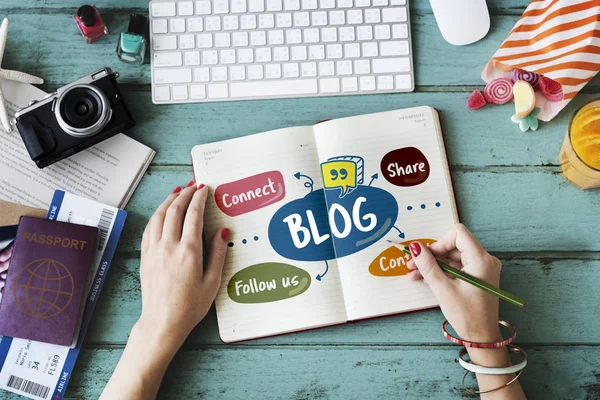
(509, 190)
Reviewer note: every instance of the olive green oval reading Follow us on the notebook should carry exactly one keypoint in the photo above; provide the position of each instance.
(266, 282)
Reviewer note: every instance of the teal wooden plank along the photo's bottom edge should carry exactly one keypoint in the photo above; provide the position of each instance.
(346, 372)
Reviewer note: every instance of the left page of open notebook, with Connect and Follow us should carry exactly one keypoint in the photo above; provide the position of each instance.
(280, 274)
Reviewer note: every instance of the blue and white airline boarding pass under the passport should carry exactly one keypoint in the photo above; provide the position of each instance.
(40, 370)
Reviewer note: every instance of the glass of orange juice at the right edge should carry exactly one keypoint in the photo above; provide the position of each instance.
(580, 154)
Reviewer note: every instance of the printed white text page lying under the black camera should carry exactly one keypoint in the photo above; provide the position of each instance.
(107, 172)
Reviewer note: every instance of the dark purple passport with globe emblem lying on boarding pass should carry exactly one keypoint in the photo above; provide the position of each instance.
(46, 282)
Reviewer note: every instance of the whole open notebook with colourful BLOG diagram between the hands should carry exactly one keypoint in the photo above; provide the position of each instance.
(311, 210)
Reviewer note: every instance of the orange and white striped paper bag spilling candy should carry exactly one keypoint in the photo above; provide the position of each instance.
(559, 39)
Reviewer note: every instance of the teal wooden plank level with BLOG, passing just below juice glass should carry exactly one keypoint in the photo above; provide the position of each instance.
(508, 210)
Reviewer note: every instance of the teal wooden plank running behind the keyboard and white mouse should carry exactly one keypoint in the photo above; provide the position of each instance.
(437, 63)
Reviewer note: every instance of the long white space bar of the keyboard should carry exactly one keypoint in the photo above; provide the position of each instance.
(274, 88)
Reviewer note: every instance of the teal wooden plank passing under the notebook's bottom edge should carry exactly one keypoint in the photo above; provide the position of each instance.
(559, 307)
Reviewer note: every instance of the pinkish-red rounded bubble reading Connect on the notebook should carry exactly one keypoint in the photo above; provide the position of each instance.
(251, 193)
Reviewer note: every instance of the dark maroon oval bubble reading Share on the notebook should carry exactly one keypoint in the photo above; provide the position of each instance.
(405, 167)
